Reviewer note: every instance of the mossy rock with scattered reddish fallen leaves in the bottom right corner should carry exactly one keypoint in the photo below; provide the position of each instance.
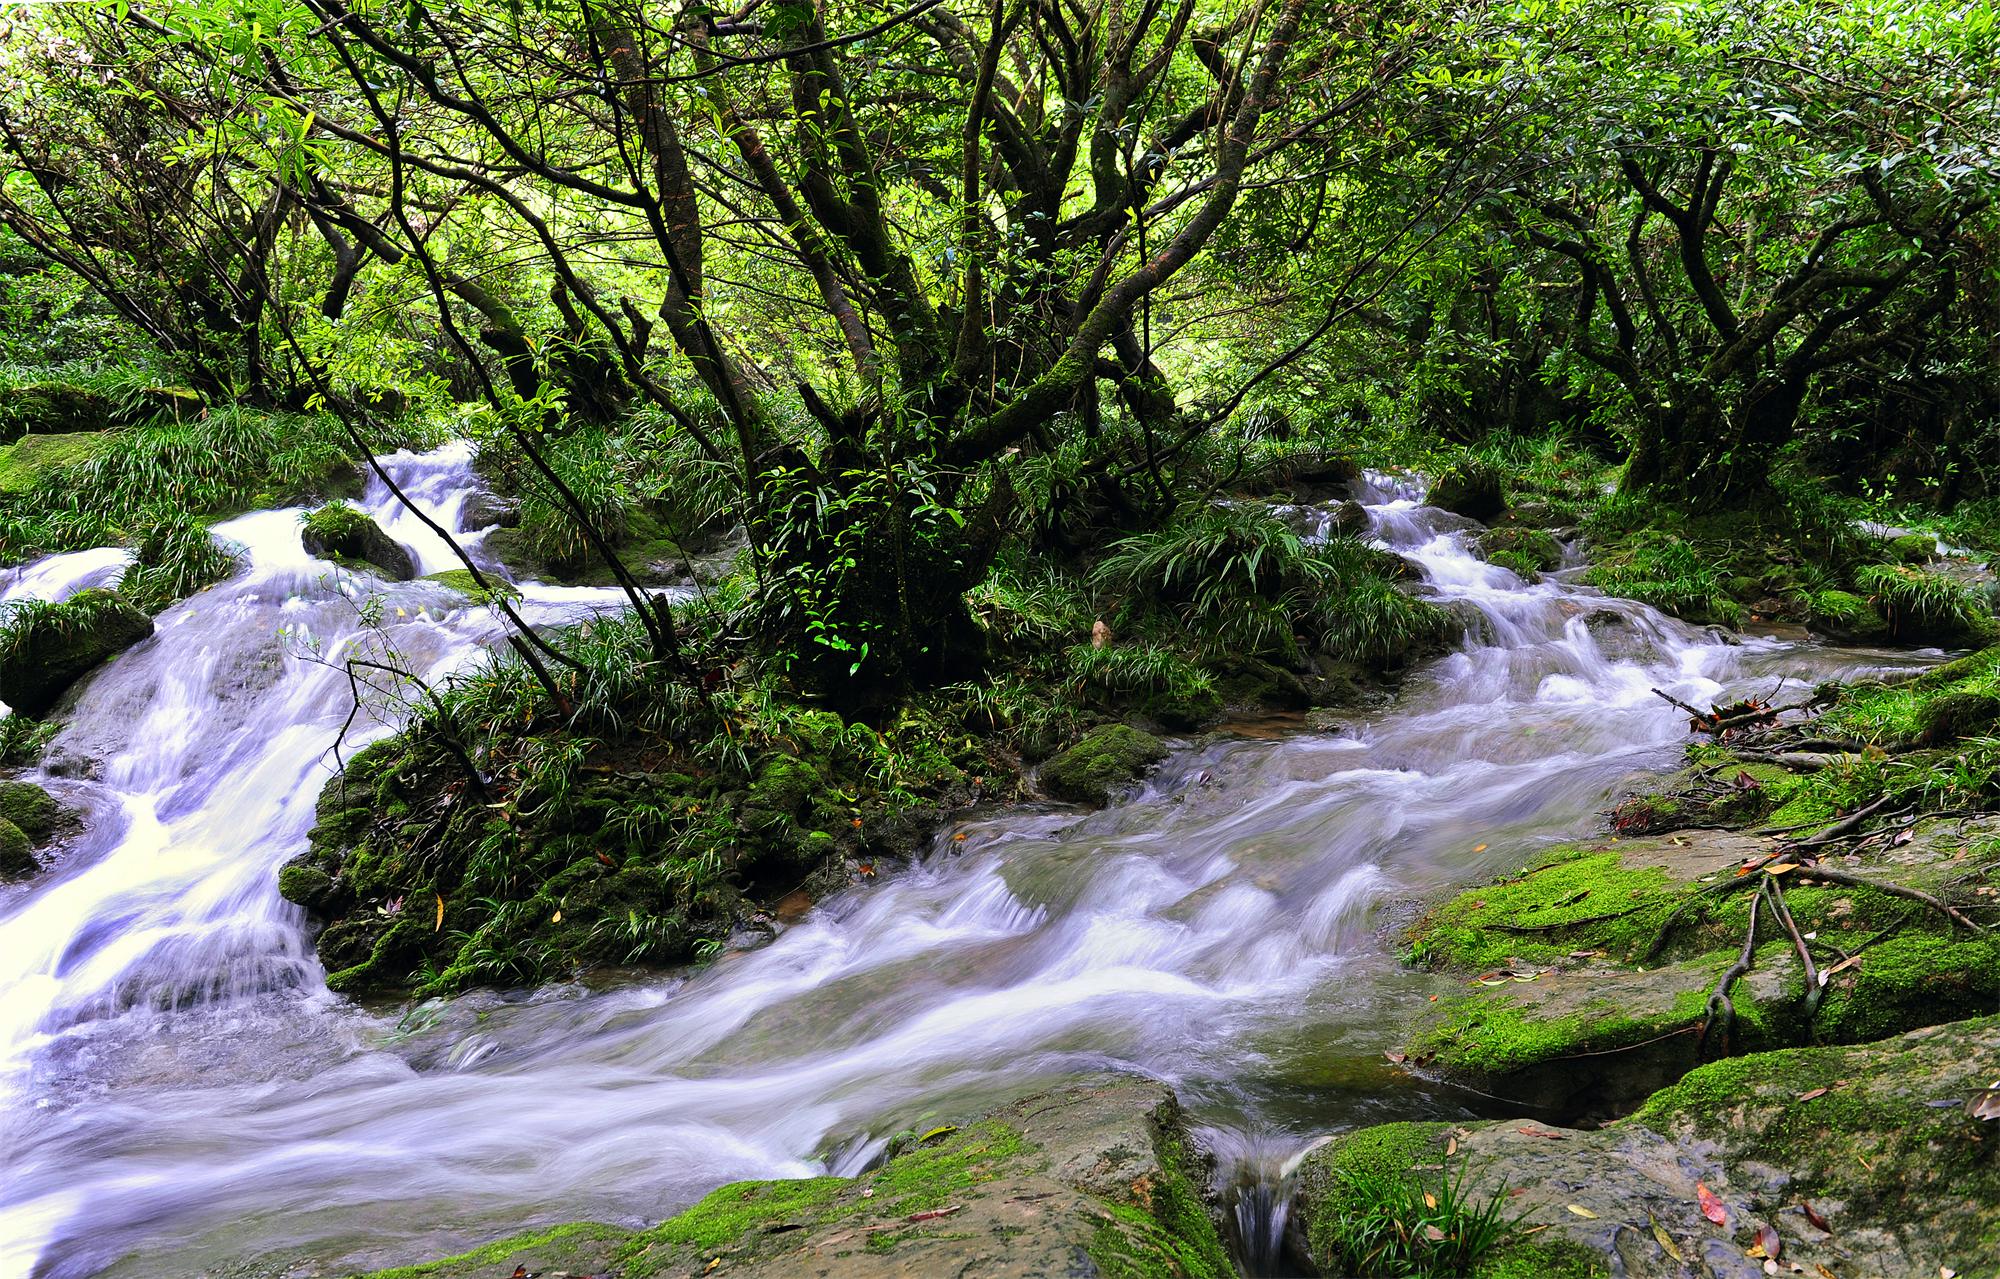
(1877, 1140)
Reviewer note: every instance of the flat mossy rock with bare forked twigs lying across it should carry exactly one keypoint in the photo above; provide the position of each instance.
(1587, 976)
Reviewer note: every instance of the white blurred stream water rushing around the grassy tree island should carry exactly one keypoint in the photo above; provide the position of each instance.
(179, 1090)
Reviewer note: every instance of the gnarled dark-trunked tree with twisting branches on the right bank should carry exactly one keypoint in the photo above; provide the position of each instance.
(1751, 197)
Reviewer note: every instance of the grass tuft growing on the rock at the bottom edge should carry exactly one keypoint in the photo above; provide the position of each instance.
(1389, 1224)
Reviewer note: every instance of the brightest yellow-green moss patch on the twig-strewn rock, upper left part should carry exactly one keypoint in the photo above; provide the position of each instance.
(1585, 898)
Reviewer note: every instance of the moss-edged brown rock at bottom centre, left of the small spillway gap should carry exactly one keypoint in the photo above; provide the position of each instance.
(1089, 1180)
